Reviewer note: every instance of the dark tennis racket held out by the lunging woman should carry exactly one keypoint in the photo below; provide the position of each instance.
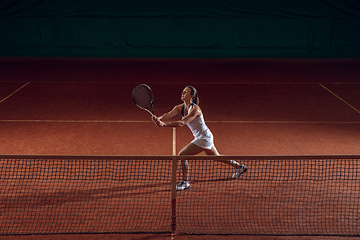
(143, 98)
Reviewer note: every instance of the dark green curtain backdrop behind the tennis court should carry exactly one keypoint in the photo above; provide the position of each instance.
(201, 28)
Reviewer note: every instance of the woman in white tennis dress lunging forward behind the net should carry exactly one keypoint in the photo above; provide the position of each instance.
(203, 138)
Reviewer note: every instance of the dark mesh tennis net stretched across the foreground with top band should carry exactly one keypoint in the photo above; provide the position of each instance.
(279, 195)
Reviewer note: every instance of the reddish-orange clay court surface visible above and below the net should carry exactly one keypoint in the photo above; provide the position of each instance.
(83, 106)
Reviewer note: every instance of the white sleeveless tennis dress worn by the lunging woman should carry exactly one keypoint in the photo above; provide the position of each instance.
(202, 134)
